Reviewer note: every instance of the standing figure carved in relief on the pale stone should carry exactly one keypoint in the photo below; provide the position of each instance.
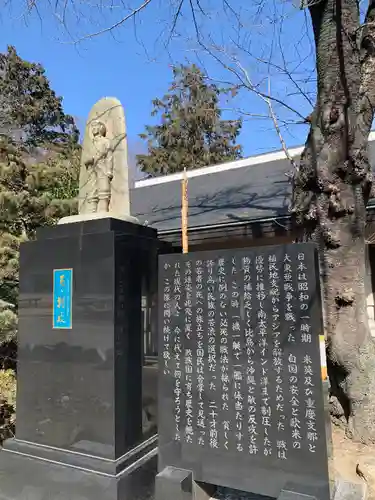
(101, 166)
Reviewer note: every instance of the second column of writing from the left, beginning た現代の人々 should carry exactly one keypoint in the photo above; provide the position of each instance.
(177, 348)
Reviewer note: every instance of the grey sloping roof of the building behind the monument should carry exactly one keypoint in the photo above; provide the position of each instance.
(241, 194)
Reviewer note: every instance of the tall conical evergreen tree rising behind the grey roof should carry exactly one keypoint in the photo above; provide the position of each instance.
(192, 133)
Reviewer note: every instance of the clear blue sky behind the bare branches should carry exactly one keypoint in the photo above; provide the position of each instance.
(134, 66)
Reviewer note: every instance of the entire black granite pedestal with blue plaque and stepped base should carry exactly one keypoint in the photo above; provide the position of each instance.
(79, 431)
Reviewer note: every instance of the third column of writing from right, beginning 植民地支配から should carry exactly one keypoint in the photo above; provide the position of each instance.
(277, 356)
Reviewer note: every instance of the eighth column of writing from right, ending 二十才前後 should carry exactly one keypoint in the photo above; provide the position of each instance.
(211, 348)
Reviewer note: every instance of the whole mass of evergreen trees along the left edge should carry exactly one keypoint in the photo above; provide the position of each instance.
(39, 169)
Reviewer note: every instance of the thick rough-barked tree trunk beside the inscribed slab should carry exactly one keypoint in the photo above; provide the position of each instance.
(330, 191)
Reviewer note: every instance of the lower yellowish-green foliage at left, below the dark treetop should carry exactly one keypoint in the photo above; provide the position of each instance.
(31, 195)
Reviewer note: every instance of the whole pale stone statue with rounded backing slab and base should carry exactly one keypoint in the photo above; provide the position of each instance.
(103, 180)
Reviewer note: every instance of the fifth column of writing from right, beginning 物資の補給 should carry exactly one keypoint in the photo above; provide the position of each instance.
(252, 423)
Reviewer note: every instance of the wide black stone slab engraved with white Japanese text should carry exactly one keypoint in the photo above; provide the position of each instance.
(242, 392)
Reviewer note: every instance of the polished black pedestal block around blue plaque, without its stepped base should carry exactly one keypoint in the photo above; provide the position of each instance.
(73, 385)
